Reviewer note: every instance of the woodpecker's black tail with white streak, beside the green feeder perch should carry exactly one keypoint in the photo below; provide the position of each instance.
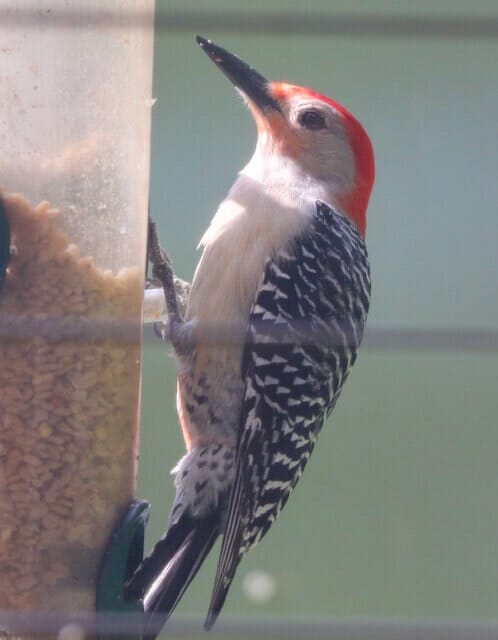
(163, 577)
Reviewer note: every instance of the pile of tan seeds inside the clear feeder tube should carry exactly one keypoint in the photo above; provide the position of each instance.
(69, 383)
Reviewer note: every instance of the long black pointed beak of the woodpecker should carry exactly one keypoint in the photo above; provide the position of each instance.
(248, 80)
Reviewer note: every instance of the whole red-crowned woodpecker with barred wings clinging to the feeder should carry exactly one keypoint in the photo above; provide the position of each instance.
(284, 258)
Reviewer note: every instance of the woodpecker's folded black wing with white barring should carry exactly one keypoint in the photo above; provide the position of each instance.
(304, 331)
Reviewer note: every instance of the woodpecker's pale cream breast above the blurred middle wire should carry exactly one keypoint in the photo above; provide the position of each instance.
(249, 226)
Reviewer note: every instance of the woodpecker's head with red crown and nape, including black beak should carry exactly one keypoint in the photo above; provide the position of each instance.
(304, 132)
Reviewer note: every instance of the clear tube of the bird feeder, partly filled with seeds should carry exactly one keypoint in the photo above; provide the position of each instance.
(75, 111)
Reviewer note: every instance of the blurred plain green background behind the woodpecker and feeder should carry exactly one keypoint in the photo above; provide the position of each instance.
(396, 515)
